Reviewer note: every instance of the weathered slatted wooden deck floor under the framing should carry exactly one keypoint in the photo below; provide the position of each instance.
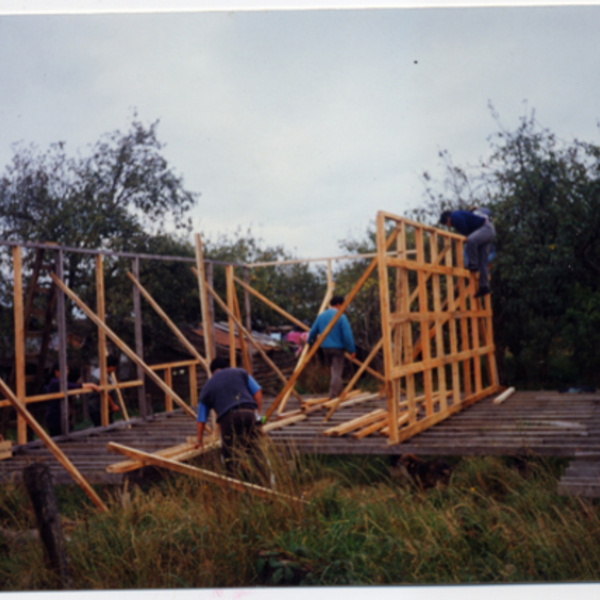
(543, 423)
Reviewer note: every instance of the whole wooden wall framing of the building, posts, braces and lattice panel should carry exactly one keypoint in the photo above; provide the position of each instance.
(437, 339)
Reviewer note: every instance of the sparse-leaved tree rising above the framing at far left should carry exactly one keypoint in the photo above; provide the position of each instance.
(114, 197)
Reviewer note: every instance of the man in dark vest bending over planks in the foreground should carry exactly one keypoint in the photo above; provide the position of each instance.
(236, 398)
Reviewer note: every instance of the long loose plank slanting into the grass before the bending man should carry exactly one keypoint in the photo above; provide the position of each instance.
(198, 473)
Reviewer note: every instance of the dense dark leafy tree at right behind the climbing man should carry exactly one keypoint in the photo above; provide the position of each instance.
(545, 197)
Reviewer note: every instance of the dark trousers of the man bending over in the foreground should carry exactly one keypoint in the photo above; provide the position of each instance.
(240, 435)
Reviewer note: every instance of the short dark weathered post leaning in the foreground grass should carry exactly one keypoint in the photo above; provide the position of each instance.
(38, 481)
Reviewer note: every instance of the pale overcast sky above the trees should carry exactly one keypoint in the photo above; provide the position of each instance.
(301, 124)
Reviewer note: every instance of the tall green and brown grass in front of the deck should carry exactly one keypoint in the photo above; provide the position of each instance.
(494, 522)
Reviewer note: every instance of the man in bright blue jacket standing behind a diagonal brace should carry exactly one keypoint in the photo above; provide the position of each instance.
(339, 339)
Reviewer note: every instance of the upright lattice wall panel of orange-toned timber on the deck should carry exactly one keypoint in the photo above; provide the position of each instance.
(434, 309)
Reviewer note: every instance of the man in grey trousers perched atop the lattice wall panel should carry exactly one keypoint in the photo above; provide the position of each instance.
(480, 234)
